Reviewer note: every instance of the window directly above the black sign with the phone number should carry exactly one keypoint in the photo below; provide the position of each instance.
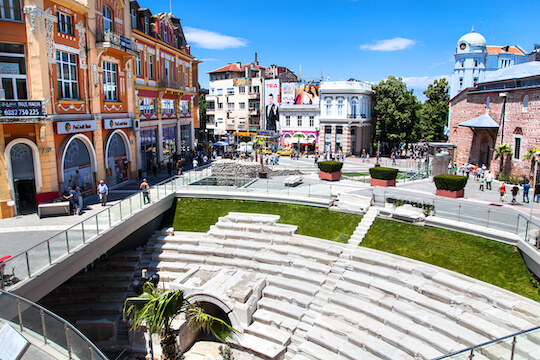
(13, 78)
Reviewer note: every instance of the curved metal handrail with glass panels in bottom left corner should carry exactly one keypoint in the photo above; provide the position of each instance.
(65, 325)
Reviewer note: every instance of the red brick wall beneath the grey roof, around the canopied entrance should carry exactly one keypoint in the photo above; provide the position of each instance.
(468, 105)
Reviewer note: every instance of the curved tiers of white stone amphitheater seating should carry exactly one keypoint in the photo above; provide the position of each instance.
(301, 298)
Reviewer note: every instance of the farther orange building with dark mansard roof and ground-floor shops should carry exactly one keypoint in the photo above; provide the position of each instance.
(165, 87)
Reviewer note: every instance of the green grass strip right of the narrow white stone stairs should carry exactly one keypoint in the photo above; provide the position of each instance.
(483, 259)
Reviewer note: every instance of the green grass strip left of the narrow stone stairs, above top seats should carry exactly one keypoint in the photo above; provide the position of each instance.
(199, 214)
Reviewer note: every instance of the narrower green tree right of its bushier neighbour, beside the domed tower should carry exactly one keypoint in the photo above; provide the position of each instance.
(434, 111)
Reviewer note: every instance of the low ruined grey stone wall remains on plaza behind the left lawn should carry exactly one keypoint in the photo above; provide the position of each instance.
(236, 168)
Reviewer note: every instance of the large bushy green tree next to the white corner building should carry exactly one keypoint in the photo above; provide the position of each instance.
(396, 110)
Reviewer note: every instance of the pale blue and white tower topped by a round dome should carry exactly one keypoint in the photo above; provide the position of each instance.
(469, 62)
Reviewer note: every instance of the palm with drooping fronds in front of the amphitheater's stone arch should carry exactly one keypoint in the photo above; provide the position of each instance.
(155, 310)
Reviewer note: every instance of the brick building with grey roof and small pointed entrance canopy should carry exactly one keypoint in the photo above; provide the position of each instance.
(503, 109)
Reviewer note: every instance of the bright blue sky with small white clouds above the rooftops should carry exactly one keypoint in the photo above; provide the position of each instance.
(342, 39)
